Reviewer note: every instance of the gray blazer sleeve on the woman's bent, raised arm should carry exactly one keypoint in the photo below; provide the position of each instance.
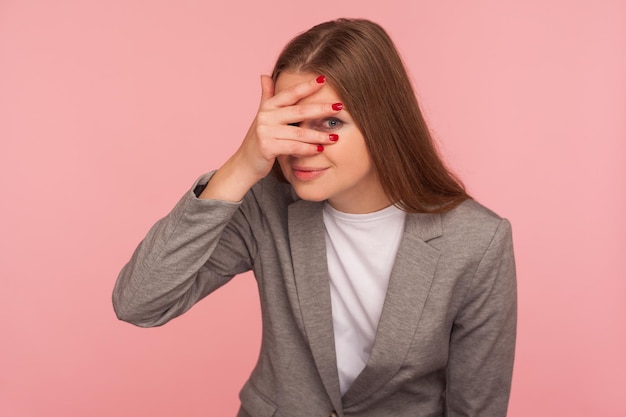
(198, 247)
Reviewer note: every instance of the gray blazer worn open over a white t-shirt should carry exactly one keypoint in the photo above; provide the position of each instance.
(446, 338)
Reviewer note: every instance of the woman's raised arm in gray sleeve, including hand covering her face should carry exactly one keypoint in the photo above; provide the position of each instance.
(206, 240)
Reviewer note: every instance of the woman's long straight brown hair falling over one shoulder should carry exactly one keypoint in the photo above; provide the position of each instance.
(362, 64)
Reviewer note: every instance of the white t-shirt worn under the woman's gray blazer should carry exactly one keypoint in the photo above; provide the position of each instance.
(361, 251)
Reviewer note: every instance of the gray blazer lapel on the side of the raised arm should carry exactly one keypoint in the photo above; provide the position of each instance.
(308, 250)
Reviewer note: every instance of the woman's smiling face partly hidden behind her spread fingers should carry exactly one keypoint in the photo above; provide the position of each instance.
(343, 173)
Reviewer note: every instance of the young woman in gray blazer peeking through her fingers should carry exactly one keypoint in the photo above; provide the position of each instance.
(385, 289)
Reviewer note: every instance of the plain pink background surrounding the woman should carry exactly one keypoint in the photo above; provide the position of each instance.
(110, 109)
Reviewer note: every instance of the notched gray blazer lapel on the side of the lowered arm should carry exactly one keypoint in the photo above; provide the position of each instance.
(409, 284)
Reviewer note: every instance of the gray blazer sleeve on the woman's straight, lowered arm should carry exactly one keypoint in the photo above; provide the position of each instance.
(482, 344)
